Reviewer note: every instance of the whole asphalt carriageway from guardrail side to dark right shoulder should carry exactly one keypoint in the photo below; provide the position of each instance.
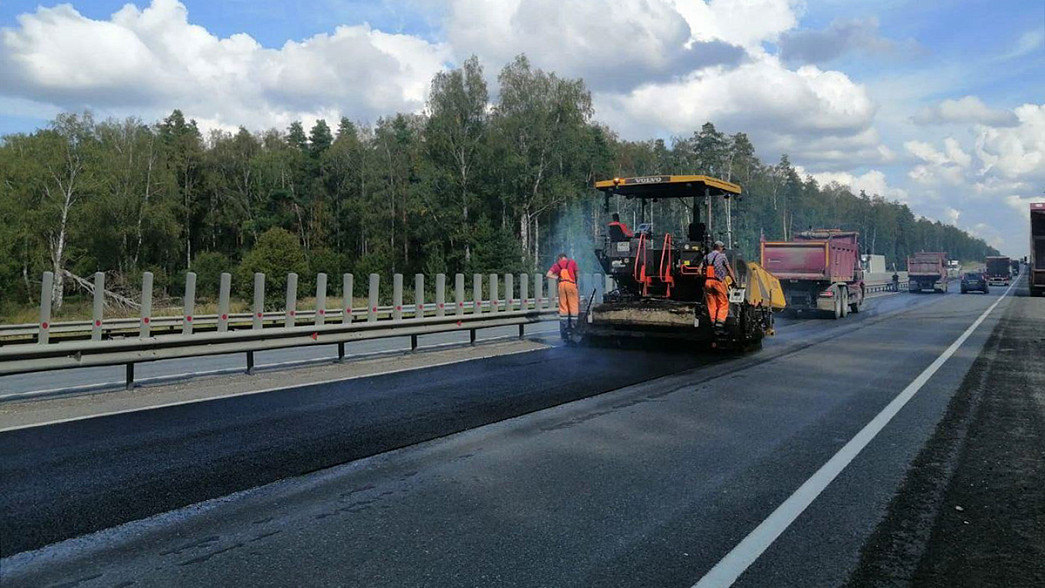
(552, 468)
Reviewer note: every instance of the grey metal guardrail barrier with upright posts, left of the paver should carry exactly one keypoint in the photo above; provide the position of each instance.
(127, 342)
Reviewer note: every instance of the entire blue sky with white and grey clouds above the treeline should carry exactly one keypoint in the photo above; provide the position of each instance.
(941, 105)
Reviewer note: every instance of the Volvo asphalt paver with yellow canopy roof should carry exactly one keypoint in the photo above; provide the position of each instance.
(660, 287)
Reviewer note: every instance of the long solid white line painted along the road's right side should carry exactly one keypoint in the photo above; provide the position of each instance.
(738, 560)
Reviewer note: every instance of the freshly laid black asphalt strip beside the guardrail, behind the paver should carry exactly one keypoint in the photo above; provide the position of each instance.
(64, 481)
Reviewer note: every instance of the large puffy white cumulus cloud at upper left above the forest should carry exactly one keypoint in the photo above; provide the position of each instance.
(150, 61)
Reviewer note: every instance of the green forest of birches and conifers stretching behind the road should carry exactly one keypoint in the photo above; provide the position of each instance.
(472, 184)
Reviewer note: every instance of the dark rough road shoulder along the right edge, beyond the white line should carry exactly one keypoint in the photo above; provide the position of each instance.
(970, 510)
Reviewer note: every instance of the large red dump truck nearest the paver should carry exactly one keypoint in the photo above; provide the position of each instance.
(819, 271)
